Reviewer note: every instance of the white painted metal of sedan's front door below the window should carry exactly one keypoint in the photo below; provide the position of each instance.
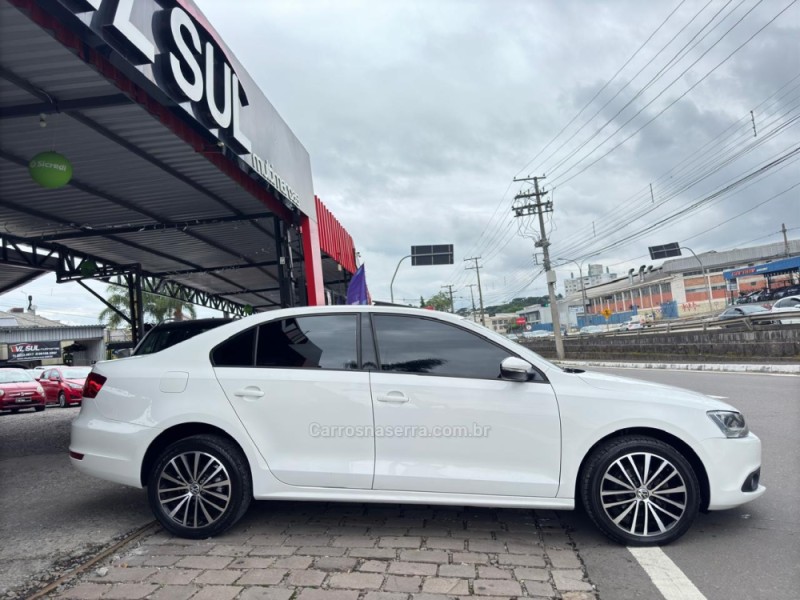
(466, 436)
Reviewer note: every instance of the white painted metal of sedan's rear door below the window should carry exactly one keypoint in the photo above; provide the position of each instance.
(291, 414)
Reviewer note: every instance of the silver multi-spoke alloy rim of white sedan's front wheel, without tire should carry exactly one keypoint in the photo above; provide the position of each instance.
(643, 494)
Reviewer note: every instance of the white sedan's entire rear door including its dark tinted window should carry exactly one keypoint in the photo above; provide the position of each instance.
(295, 386)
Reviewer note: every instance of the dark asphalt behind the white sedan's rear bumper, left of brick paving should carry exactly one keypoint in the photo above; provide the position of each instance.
(51, 515)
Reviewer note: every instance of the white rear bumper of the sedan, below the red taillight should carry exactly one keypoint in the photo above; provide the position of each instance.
(110, 450)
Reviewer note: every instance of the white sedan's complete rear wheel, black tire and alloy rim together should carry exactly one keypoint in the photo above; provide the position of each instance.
(176, 485)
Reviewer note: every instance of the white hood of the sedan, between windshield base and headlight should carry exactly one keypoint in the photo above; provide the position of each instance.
(651, 392)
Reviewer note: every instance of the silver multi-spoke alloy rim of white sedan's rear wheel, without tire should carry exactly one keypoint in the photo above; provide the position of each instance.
(194, 489)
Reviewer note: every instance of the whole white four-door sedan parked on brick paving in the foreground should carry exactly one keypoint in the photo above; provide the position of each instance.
(384, 404)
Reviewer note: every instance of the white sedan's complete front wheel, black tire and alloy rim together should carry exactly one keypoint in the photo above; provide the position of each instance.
(623, 491)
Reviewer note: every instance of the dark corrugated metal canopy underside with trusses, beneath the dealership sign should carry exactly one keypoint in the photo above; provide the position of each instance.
(140, 195)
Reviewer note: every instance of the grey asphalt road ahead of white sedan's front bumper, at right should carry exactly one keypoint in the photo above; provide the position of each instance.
(749, 552)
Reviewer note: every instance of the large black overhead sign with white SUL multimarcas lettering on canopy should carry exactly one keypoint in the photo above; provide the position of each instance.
(183, 58)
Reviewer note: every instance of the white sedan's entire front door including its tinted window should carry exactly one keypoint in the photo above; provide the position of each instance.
(446, 421)
